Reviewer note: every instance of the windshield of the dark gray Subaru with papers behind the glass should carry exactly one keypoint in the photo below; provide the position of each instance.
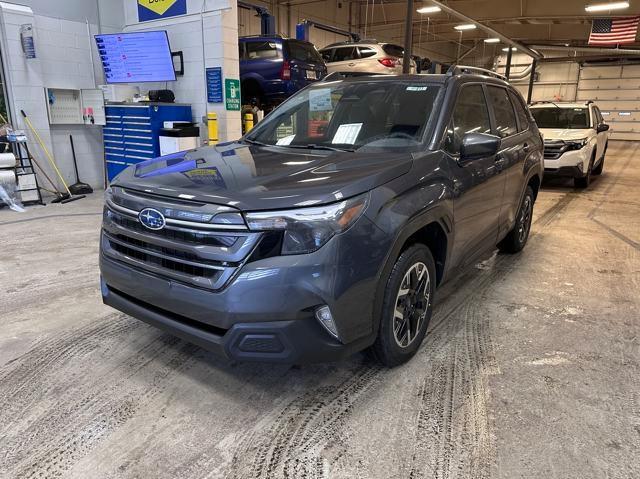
(351, 115)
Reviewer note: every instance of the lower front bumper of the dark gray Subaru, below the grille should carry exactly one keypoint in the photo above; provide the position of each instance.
(267, 311)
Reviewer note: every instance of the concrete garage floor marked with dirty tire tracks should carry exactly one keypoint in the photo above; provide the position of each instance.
(530, 369)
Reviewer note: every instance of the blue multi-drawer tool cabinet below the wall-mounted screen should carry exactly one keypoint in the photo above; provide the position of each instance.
(132, 132)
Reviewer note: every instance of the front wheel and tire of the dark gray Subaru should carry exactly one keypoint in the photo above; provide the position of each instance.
(407, 306)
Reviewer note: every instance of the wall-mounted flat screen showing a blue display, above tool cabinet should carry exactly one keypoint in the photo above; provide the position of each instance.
(136, 57)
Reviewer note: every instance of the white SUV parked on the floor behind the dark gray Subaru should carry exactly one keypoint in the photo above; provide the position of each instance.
(575, 139)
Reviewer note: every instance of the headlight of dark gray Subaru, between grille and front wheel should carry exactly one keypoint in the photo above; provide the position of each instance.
(308, 229)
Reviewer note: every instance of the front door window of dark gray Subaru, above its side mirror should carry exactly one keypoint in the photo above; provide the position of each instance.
(470, 115)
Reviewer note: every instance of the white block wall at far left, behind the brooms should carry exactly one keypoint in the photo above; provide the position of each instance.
(63, 61)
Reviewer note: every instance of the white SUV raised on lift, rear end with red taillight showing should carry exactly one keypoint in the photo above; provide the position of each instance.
(364, 57)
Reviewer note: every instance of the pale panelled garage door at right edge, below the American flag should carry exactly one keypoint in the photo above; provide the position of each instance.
(616, 90)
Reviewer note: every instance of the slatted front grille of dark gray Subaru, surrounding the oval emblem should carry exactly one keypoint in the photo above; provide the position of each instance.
(195, 253)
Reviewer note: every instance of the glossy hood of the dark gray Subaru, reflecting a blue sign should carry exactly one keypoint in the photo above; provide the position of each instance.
(254, 178)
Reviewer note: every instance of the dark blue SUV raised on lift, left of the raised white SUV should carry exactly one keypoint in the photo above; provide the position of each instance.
(273, 68)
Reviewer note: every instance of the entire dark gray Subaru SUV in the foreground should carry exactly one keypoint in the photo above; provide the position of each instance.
(326, 229)
